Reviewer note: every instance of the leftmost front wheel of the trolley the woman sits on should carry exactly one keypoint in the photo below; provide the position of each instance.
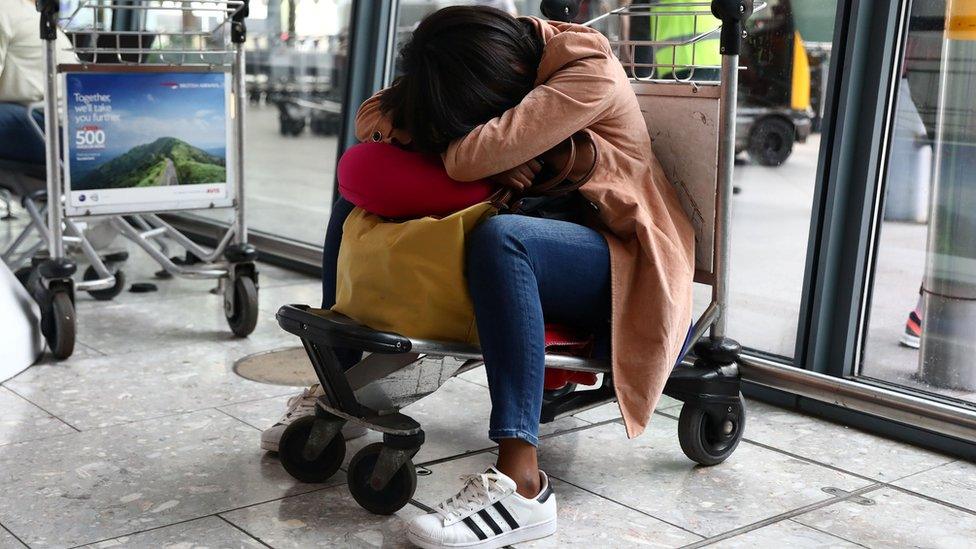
(313, 471)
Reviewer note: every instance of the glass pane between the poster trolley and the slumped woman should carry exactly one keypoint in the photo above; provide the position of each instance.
(296, 65)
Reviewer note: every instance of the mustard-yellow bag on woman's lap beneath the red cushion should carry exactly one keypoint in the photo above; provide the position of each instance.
(408, 277)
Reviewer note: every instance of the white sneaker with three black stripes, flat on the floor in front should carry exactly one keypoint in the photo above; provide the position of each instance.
(486, 513)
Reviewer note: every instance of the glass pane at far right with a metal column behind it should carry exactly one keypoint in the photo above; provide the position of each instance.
(919, 327)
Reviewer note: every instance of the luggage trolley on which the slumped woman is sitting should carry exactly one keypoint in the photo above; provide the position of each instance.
(682, 115)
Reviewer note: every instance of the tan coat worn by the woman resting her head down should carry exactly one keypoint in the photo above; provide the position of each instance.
(581, 85)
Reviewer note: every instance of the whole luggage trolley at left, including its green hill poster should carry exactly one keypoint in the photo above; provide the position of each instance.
(217, 55)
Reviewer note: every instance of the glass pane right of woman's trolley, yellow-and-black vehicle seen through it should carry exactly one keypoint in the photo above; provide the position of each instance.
(782, 89)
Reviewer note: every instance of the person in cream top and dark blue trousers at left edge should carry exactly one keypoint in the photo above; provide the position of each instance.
(22, 79)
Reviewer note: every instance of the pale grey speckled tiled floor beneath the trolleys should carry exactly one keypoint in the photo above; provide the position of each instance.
(146, 438)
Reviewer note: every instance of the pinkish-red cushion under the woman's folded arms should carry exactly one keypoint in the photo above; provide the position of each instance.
(391, 182)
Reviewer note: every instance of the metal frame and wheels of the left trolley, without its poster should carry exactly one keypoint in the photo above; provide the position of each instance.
(231, 262)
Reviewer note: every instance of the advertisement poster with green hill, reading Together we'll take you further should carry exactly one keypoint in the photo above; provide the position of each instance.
(146, 141)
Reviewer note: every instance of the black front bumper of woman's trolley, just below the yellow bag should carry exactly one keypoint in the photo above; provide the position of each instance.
(330, 328)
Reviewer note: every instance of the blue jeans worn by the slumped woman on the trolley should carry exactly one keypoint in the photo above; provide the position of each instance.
(522, 272)
